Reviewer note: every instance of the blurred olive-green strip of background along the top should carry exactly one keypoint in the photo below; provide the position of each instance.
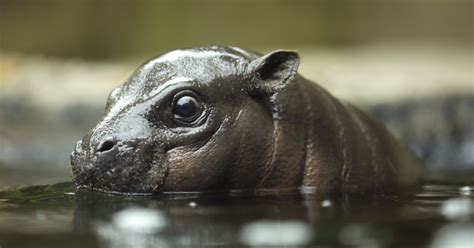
(111, 29)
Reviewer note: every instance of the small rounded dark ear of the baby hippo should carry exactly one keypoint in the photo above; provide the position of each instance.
(273, 72)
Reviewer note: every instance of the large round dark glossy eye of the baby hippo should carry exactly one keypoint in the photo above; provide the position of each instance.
(186, 108)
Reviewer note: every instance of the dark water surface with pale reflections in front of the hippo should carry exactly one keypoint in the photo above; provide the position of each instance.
(58, 216)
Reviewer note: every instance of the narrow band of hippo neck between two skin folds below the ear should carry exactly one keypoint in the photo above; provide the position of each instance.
(286, 167)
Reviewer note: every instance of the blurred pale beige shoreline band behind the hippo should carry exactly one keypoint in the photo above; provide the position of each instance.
(382, 72)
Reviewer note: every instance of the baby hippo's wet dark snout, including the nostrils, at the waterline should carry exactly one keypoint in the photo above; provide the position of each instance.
(110, 164)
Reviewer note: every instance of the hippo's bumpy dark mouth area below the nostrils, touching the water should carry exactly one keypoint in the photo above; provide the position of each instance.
(122, 168)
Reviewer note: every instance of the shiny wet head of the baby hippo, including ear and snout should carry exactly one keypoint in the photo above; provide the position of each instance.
(189, 120)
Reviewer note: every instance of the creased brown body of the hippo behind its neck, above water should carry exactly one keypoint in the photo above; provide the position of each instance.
(343, 146)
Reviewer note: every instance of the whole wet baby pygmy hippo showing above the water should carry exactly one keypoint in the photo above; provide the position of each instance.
(222, 118)
